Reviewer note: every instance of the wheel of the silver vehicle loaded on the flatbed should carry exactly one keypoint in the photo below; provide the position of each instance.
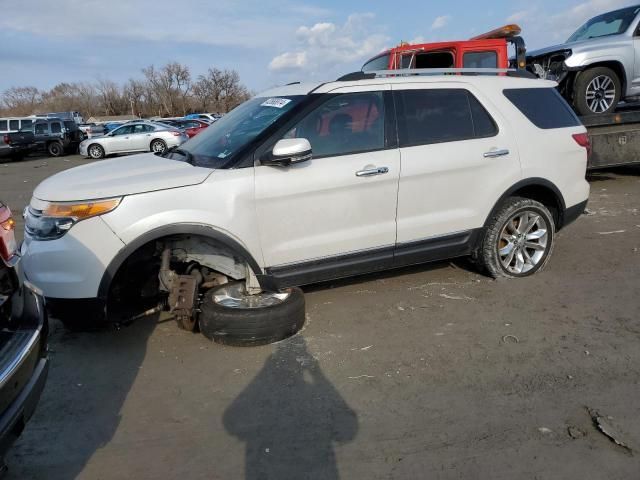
(597, 91)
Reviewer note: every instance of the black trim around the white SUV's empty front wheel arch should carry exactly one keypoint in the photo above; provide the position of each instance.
(174, 230)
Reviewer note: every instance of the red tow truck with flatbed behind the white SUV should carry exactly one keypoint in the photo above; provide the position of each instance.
(615, 138)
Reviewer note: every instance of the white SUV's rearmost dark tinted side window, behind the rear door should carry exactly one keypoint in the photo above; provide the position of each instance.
(544, 107)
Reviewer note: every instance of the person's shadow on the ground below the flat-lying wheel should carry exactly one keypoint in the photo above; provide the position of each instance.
(290, 417)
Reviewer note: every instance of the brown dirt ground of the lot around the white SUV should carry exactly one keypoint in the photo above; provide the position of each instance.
(429, 372)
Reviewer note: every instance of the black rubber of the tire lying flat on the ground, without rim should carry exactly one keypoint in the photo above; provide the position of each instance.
(245, 327)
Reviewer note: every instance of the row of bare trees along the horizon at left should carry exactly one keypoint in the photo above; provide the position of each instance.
(166, 91)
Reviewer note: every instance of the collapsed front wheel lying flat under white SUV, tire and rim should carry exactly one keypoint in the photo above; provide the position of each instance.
(231, 317)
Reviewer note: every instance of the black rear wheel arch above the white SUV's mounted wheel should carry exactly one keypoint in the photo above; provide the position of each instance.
(540, 190)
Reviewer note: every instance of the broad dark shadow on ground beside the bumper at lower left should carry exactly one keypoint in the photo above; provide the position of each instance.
(90, 376)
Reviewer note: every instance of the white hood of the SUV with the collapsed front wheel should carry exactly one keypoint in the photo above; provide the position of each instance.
(120, 176)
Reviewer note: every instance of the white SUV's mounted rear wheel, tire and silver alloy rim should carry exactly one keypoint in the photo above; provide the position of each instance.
(518, 240)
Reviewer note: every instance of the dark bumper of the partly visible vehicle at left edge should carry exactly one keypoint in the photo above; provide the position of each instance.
(26, 368)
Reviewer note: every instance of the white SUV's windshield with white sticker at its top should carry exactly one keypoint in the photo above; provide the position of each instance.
(218, 143)
